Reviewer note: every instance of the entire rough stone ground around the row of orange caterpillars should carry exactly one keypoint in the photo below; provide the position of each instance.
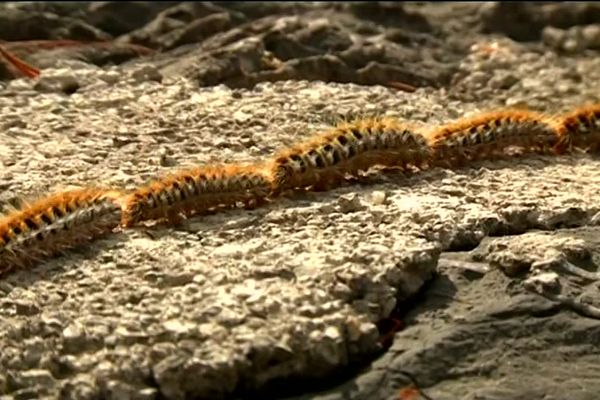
(472, 283)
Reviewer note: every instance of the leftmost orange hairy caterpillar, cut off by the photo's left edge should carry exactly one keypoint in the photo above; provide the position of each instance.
(53, 224)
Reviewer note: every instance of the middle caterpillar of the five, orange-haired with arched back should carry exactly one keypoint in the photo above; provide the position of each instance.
(346, 149)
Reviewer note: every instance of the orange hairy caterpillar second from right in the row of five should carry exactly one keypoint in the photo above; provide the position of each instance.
(489, 135)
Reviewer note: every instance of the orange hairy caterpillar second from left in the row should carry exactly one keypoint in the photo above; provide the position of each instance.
(193, 191)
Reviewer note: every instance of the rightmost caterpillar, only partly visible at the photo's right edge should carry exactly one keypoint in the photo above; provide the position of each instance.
(580, 128)
